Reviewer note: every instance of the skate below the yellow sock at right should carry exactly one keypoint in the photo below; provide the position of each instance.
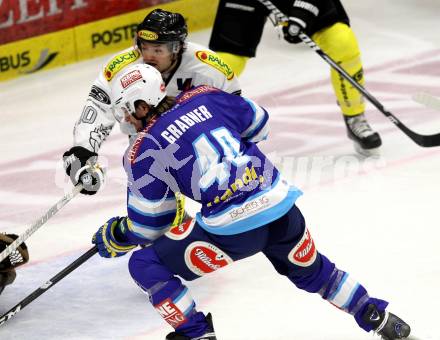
(366, 141)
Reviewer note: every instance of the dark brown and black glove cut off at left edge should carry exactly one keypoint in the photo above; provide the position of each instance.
(15, 259)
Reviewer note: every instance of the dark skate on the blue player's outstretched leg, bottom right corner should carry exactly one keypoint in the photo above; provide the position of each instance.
(387, 325)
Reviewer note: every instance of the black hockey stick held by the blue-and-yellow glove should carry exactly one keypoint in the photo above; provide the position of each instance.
(36, 293)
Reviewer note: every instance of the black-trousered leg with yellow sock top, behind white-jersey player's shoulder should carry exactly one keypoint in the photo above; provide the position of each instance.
(237, 31)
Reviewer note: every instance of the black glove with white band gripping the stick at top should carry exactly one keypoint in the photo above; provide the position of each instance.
(301, 16)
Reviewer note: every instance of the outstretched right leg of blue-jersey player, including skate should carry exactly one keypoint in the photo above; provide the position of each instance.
(294, 254)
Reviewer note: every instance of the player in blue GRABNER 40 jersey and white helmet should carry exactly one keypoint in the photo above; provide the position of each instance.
(203, 144)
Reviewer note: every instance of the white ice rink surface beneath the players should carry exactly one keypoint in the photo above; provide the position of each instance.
(377, 219)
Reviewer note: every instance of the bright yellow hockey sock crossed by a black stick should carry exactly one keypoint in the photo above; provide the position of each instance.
(339, 42)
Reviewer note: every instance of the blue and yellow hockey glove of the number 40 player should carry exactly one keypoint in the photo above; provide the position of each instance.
(106, 240)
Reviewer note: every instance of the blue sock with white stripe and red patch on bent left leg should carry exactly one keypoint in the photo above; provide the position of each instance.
(169, 296)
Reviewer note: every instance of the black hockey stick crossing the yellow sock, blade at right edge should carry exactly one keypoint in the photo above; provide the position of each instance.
(422, 140)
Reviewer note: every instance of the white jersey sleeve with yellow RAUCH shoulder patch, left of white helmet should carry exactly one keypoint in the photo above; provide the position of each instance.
(97, 118)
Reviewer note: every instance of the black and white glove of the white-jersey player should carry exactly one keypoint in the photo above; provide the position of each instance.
(81, 165)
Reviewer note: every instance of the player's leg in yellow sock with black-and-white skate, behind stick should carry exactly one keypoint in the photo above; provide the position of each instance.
(336, 38)
